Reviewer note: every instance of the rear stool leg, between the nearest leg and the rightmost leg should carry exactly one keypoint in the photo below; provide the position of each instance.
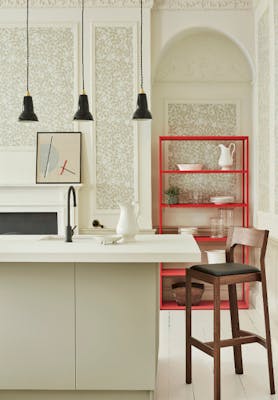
(235, 328)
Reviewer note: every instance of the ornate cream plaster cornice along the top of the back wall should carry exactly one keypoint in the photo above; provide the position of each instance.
(157, 4)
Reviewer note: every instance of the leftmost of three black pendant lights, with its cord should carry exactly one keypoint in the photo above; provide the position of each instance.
(27, 114)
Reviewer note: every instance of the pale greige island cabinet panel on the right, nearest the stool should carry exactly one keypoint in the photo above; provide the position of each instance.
(116, 326)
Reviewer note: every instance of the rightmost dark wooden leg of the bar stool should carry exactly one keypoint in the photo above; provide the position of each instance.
(268, 336)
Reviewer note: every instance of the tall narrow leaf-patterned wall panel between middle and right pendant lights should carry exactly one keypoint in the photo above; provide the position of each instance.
(115, 147)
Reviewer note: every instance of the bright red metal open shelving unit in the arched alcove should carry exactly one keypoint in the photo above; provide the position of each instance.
(243, 205)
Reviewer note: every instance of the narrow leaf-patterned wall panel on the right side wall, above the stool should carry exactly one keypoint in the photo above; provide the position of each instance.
(263, 111)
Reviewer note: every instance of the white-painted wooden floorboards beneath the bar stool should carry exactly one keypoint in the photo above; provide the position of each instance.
(252, 385)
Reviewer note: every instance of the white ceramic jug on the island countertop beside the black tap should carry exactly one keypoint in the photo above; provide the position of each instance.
(127, 225)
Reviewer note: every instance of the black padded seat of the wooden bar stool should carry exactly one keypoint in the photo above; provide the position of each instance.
(225, 269)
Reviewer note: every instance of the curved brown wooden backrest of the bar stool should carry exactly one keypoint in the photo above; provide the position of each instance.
(247, 237)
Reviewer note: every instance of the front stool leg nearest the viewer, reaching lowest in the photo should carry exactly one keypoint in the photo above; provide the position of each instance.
(216, 347)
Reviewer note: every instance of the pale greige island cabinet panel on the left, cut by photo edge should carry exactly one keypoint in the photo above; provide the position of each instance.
(37, 326)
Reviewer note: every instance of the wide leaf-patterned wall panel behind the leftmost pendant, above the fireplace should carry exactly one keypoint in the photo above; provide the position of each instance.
(51, 67)
